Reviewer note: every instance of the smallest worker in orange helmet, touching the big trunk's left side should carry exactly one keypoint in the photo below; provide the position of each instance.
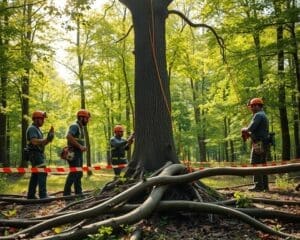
(118, 147)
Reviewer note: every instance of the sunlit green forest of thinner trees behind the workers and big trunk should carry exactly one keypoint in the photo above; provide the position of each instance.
(210, 86)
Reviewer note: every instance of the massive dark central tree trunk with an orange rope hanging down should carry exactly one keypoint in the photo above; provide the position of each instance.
(154, 144)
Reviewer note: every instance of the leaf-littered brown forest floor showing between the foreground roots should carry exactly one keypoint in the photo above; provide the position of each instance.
(185, 225)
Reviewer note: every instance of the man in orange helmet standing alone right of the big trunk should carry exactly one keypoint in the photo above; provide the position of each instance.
(258, 131)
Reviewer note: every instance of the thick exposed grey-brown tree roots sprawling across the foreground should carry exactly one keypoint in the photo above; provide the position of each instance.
(170, 178)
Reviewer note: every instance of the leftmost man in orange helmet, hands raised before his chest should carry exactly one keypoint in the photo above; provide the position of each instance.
(35, 153)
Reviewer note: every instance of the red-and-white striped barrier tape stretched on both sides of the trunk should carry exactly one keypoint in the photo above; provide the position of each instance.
(193, 165)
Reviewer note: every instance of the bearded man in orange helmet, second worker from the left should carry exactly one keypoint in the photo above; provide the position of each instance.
(76, 144)
